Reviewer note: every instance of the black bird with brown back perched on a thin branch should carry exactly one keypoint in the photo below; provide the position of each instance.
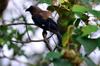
(41, 19)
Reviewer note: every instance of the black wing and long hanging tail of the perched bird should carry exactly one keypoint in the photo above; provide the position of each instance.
(49, 25)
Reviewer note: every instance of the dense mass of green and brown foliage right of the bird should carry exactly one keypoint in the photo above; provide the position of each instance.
(74, 36)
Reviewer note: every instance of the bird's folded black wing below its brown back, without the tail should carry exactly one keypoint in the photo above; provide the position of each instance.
(48, 24)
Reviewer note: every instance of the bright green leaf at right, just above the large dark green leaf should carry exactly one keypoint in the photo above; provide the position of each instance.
(89, 29)
